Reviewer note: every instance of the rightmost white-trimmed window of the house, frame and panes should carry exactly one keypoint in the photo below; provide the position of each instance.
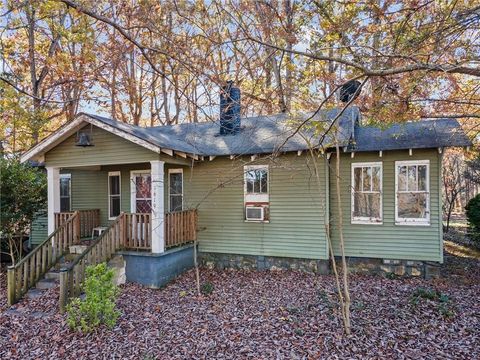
(412, 202)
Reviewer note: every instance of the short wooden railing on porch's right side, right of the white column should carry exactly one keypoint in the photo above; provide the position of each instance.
(180, 227)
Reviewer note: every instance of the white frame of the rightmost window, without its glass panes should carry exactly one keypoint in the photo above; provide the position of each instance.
(413, 221)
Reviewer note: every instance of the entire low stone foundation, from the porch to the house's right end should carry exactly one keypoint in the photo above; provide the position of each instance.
(385, 267)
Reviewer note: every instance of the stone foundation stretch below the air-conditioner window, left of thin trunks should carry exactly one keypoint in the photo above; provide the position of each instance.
(256, 262)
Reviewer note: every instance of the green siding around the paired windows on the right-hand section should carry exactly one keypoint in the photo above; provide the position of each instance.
(388, 241)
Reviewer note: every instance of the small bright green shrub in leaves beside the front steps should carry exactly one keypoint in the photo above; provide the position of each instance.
(98, 307)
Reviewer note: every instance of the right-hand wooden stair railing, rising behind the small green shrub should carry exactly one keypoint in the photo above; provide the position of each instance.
(102, 249)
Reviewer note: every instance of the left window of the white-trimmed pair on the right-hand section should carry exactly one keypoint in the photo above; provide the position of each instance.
(367, 193)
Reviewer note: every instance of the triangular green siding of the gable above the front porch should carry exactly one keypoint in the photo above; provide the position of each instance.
(108, 149)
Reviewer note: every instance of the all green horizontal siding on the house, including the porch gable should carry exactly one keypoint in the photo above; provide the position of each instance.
(297, 202)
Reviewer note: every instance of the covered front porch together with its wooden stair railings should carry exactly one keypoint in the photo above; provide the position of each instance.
(96, 197)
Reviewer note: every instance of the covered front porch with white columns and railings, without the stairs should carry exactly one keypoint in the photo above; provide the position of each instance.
(148, 197)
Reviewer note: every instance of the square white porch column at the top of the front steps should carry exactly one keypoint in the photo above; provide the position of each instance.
(158, 207)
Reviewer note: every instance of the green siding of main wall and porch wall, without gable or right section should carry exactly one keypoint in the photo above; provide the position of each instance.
(297, 207)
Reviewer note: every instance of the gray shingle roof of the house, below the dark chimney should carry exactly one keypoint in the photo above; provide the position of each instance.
(267, 134)
